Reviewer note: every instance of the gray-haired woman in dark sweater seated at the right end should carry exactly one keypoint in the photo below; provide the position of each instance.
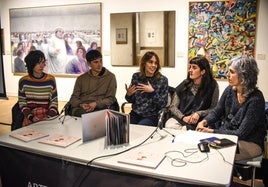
(241, 109)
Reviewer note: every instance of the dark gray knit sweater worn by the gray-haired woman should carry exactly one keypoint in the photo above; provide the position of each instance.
(246, 120)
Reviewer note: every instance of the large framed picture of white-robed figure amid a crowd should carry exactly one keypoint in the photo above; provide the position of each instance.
(64, 33)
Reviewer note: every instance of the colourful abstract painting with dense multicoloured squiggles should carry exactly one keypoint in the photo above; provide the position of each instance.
(221, 30)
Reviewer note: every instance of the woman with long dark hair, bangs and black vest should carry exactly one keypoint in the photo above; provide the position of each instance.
(195, 97)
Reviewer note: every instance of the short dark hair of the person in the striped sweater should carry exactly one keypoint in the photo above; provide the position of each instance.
(33, 58)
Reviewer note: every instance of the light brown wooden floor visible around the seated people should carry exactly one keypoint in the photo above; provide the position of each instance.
(5, 121)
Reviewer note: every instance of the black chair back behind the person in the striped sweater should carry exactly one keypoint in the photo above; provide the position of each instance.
(17, 117)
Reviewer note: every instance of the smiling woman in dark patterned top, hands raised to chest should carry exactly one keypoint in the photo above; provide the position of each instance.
(148, 91)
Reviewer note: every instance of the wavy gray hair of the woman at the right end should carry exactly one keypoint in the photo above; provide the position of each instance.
(248, 71)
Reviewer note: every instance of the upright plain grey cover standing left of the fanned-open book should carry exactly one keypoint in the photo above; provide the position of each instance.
(94, 125)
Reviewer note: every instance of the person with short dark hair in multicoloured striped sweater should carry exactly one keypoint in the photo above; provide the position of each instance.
(38, 98)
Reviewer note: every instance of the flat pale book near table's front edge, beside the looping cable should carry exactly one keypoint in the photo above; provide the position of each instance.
(143, 158)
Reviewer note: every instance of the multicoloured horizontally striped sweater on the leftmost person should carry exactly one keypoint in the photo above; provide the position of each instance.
(38, 93)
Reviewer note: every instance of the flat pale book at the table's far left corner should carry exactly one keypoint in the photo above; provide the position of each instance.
(27, 134)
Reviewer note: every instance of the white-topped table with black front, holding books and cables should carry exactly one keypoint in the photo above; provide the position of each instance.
(33, 163)
